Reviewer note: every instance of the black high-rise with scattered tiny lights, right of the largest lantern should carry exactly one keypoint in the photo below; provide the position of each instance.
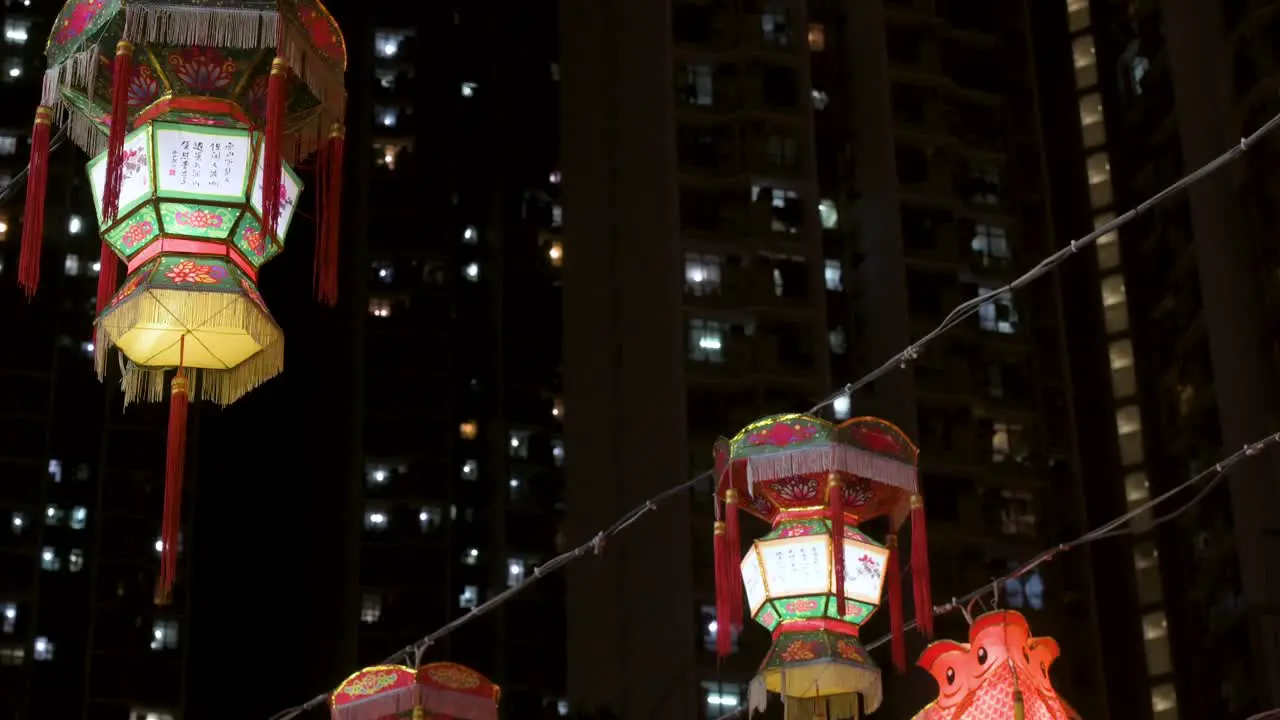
(463, 403)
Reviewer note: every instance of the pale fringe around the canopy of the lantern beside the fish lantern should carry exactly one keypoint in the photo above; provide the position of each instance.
(829, 459)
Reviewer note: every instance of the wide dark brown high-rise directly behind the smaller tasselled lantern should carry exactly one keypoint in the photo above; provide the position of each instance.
(769, 198)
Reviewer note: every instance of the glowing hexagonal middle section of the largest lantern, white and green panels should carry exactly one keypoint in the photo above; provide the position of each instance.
(196, 190)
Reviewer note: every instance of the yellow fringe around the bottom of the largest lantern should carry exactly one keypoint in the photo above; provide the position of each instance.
(196, 311)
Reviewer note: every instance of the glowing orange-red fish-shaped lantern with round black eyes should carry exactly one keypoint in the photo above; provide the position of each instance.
(1000, 675)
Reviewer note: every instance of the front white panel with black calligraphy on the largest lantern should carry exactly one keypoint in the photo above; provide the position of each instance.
(203, 162)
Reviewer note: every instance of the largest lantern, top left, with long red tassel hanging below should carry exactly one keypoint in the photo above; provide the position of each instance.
(193, 112)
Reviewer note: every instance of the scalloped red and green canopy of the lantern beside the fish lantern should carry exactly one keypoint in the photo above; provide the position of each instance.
(784, 463)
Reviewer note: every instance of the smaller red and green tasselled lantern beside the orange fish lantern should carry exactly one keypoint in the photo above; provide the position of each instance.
(816, 578)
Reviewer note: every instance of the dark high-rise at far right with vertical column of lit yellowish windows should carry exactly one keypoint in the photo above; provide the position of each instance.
(1173, 347)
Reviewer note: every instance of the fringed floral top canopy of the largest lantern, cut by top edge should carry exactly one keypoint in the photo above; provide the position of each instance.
(203, 62)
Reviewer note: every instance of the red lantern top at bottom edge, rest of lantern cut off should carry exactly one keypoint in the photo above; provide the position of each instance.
(438, 691)
